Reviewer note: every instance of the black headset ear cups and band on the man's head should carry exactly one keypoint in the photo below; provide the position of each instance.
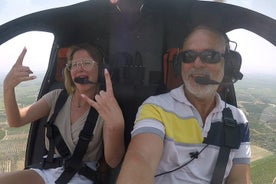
(232, 63)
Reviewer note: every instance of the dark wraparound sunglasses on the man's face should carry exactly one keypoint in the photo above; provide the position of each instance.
(206, 56)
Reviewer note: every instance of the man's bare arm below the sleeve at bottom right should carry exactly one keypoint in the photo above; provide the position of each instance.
(239, 174)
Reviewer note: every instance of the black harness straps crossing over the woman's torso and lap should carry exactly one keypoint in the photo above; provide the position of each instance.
(72, 164)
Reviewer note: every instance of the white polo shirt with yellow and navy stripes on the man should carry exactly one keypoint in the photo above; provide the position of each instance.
(172, 117)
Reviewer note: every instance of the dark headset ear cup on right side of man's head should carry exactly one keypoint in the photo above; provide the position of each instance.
(232, 66)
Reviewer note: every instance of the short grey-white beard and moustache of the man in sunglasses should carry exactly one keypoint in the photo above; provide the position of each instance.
(198, 90)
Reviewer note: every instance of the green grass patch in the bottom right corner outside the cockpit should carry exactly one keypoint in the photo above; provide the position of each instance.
(263, 171)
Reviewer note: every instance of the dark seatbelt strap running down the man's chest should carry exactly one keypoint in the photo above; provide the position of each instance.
(230, 140)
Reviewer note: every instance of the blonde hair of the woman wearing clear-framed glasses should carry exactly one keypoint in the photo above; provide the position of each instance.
(93, 51)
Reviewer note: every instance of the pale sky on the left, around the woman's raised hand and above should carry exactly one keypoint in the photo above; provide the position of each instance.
(38, 44)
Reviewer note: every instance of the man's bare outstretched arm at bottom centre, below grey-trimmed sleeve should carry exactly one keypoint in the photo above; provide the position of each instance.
(141, 160)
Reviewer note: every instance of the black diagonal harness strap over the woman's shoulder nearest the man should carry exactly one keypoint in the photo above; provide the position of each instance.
(74, 164)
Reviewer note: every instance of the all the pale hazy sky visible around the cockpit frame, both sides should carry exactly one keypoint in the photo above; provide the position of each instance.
(255, 51)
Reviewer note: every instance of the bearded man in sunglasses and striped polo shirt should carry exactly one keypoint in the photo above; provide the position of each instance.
(175, 136)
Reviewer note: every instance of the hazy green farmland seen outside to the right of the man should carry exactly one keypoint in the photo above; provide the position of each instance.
(257, 97)
